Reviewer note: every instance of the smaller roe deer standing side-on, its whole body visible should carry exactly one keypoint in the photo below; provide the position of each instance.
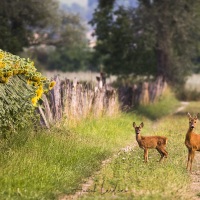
(150, 142)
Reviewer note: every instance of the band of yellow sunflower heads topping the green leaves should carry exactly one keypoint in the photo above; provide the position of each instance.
(11, 65)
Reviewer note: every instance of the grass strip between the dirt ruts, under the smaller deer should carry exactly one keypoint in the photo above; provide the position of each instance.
(128, 177)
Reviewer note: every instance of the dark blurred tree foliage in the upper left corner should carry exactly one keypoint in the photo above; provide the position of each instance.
(20, 20)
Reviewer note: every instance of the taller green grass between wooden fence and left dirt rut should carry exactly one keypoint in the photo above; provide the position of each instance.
(46, 164)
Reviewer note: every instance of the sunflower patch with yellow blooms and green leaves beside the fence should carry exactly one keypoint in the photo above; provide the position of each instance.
(16, 109)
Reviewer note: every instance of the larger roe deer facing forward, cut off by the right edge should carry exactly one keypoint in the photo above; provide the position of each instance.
(192, 140)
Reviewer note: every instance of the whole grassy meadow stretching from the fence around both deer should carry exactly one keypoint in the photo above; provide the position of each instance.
(50, 164)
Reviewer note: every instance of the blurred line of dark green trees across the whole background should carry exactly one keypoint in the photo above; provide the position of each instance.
(155, 38)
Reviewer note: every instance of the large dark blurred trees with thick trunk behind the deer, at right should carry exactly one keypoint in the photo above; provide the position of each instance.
(156, 38)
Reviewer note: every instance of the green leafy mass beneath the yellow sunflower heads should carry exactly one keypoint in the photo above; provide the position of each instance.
(16, 110)
